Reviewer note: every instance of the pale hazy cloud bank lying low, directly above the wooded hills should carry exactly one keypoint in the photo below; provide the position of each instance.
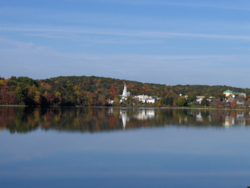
(40, 62)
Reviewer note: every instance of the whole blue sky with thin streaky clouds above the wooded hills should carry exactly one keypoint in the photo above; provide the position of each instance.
(157, 41)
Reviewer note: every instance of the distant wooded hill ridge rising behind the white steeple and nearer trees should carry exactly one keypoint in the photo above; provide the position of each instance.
(93, 83)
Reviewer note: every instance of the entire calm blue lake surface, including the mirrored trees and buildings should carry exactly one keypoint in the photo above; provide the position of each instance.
(118, 147)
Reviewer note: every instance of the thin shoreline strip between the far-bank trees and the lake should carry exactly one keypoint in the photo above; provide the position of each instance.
(186, 108)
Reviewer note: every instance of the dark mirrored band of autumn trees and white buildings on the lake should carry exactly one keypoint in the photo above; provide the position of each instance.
(24, 120)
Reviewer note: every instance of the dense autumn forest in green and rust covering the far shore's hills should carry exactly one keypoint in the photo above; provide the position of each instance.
(94, 91)
